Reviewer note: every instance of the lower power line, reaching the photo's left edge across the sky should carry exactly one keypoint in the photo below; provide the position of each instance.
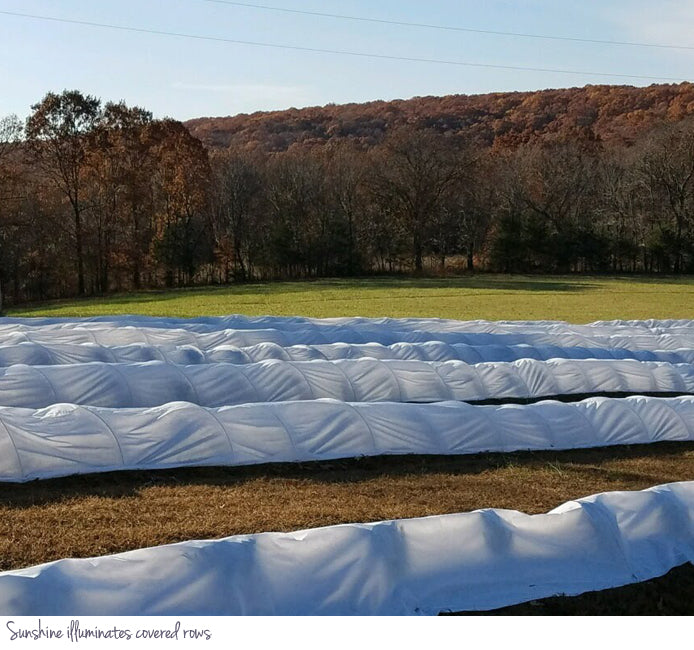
(299, 48)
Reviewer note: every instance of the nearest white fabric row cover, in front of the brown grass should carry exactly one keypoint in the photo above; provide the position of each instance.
(472, 561)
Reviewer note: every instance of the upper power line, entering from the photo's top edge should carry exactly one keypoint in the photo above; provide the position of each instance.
(401, 23)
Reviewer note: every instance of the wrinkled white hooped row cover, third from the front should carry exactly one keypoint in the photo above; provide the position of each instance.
(362, 380)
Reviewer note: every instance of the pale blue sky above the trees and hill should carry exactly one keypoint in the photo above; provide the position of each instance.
(185, 78)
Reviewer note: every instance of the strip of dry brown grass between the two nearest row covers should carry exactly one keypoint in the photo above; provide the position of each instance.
(100, 514)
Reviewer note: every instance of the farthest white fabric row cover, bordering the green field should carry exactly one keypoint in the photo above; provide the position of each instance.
(311, 334)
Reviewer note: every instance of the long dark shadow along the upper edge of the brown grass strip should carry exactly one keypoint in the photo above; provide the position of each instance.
(589, 463)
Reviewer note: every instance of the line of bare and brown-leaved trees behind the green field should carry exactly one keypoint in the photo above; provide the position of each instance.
(103, 197)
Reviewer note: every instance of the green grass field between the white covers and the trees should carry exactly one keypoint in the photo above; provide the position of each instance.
(494, 297)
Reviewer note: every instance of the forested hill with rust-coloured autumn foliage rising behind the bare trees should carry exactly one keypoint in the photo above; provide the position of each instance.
(610, 113)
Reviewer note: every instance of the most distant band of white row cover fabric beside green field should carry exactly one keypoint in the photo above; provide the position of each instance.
(244, 331)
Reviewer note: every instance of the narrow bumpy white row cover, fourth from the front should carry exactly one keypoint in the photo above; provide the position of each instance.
(37, 354)
